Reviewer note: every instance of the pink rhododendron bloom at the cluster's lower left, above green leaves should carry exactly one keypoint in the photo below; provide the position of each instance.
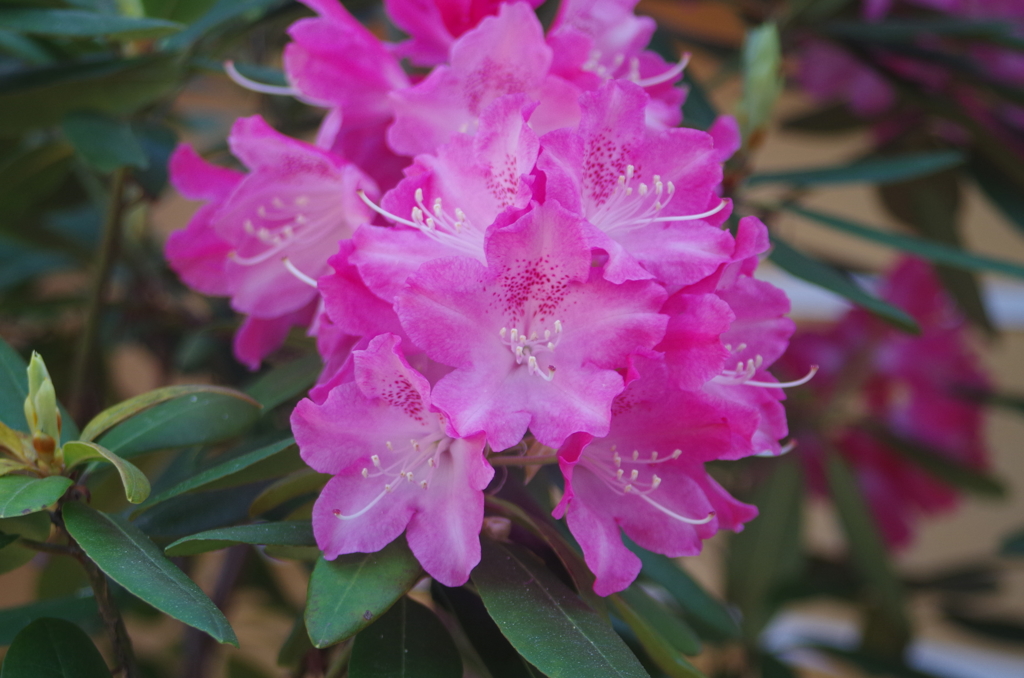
(398, 468)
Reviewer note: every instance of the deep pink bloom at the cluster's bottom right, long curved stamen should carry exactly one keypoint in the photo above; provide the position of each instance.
(647, 478)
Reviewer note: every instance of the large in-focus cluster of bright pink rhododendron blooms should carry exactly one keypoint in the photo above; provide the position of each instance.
(521, 250)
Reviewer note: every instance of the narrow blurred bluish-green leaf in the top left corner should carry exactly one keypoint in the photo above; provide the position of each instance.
(81, 24)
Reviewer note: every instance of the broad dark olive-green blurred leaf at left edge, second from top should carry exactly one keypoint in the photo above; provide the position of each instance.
(41, 98)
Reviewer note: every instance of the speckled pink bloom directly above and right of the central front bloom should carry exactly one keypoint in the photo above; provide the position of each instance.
(650, 194)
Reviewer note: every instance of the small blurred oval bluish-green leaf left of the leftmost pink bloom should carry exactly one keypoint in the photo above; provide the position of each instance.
(105, 143)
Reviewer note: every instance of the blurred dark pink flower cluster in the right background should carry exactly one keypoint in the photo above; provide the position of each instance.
(912, 387)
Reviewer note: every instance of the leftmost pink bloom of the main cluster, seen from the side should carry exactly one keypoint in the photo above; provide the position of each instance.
(265, 236)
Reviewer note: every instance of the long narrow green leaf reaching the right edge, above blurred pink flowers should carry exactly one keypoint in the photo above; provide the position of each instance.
(928, 249)
